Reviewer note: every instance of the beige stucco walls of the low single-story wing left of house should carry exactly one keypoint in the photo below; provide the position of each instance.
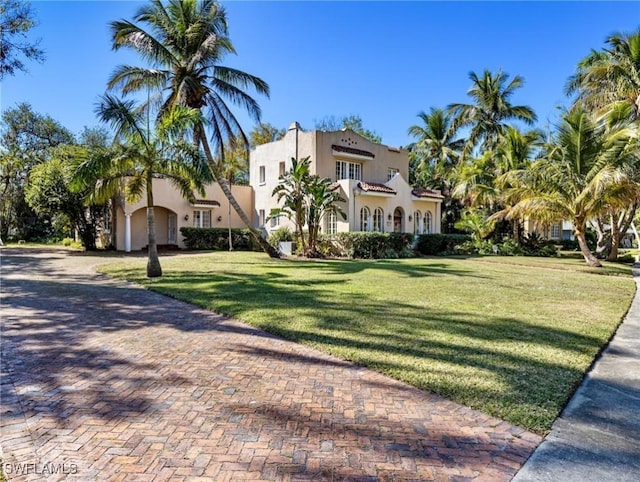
(167, 201)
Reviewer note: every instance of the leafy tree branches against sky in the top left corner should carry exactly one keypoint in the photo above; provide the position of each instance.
(16, 19)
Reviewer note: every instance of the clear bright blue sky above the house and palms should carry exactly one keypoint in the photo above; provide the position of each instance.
(383, 61)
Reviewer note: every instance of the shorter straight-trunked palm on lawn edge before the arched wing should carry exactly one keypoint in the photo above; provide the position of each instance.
(140, 155)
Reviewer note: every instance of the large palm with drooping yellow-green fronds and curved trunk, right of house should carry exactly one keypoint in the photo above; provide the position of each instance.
(587, 170)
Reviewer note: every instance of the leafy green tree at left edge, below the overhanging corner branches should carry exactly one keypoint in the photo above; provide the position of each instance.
(27, 140)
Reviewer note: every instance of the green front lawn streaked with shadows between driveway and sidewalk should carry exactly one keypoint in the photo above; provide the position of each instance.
(510, 336)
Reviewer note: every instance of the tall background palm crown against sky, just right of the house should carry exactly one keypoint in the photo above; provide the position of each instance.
(488, 115)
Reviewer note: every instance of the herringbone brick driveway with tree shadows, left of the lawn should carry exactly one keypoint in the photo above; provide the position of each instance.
(102, 380)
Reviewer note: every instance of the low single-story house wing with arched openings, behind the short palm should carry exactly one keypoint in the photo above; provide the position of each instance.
(127, 226)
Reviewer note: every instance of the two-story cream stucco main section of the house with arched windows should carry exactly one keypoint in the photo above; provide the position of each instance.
(371, 177)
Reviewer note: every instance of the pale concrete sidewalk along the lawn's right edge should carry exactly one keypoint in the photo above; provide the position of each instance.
(597, 437)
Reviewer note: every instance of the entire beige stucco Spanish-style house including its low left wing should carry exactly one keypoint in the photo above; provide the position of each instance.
(371, 177)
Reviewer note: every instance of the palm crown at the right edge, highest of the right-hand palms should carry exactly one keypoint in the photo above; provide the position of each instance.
(610, 77)
